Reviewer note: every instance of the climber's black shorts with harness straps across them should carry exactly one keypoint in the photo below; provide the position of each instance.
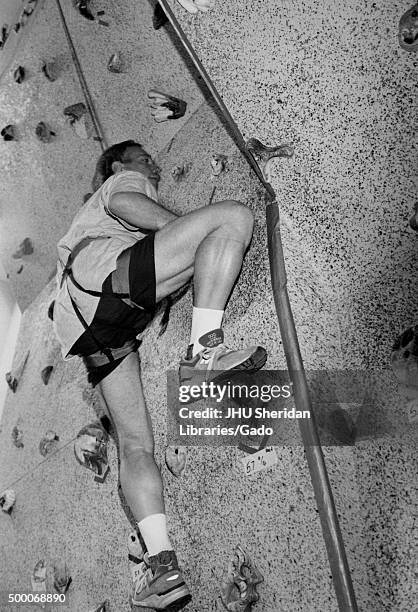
(116, 324)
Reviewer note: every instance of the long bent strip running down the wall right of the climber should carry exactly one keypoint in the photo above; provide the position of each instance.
(320, 482)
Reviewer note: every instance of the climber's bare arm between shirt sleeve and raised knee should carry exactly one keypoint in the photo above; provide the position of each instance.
(139, 210)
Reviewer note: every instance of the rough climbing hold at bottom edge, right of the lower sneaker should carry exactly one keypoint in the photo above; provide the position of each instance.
(238, 591)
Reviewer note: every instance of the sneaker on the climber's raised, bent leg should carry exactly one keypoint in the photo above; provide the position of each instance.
(216, 361)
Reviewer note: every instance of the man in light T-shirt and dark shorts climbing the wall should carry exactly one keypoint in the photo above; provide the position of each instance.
(122, 255)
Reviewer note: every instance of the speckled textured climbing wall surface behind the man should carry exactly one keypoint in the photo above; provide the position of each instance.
(333, 81)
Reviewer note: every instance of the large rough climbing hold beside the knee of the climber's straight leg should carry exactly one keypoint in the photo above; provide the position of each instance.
(90, 449)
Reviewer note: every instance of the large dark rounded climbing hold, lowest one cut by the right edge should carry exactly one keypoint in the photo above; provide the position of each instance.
(404, 357)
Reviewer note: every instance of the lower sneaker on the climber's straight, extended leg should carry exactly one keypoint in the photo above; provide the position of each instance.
(160, 584)
